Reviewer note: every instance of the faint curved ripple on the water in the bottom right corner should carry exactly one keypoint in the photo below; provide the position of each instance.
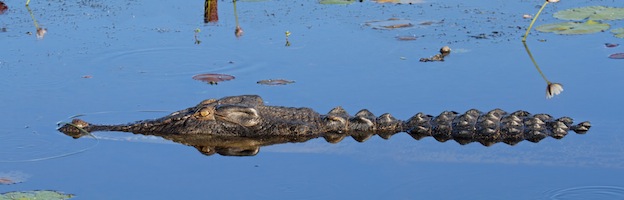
(587, 192)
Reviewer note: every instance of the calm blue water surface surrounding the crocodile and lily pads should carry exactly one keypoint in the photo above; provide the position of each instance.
(140, 56)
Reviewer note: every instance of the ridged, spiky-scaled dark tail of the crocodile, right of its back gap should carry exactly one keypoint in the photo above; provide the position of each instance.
(491, 127)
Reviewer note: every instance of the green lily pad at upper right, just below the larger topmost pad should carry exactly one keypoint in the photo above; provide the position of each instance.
(570, 28)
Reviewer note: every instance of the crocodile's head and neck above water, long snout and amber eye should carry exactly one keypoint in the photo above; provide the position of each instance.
(230, 116)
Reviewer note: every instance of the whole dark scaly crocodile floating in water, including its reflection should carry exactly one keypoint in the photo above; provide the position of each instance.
(240, 125)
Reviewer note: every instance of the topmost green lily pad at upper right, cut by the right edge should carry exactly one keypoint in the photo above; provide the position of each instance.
(591, 13)
